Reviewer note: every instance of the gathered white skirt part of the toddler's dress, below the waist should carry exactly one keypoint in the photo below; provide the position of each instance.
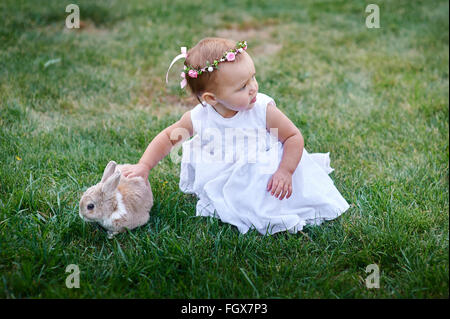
(236, 193)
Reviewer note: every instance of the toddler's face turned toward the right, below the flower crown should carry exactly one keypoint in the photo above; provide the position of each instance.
(237, 85)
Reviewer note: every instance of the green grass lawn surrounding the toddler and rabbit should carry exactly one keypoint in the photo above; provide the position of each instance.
(377, 99)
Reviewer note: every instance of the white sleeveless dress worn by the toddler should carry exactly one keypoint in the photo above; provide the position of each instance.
(229, 161)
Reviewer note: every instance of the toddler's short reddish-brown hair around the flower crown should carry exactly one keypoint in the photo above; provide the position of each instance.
(207, 49)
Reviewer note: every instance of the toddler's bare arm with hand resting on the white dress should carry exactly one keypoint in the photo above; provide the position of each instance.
(281, 181)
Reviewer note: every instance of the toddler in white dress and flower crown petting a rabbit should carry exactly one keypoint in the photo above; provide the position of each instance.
(271, 183)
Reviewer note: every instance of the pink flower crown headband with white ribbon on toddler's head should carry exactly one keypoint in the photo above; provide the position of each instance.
(228, 56)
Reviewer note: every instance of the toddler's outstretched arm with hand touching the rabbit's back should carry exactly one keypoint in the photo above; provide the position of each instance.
(160, 146)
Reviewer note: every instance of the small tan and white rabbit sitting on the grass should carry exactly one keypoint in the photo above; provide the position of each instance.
(117, 203)
